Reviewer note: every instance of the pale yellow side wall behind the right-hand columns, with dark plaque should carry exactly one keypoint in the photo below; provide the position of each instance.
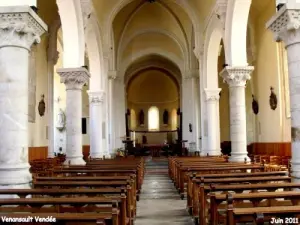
(272, 126)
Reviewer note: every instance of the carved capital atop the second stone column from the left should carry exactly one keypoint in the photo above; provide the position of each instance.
(74, 78)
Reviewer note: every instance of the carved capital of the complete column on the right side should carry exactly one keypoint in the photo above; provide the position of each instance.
(236, 76)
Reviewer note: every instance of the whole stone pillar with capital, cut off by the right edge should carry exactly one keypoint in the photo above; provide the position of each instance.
(286, 27)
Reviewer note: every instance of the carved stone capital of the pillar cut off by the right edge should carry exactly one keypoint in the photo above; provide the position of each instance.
(285, 22)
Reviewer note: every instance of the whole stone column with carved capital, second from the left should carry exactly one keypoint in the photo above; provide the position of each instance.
(74, 79)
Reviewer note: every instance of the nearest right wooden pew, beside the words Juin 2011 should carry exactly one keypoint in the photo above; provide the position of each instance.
(255, 200)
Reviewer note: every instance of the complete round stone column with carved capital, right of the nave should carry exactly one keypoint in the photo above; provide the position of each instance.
(236, 77)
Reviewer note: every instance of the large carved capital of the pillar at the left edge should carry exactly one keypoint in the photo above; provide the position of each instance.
(20, 26)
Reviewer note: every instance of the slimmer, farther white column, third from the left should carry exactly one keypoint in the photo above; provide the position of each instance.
(96, 101)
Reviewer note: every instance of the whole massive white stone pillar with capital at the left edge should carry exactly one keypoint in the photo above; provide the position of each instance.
(20, 27)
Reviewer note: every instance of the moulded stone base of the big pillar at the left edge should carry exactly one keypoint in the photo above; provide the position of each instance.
(15, 176)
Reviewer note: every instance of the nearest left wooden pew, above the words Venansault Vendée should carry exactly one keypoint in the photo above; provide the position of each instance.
(58, 205)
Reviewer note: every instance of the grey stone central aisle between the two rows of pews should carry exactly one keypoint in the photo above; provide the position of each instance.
(160, 203)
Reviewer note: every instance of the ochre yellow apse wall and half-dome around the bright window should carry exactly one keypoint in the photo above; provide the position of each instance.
(152, 88)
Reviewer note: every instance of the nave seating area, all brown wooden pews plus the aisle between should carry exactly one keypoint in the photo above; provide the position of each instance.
(127, 191)
